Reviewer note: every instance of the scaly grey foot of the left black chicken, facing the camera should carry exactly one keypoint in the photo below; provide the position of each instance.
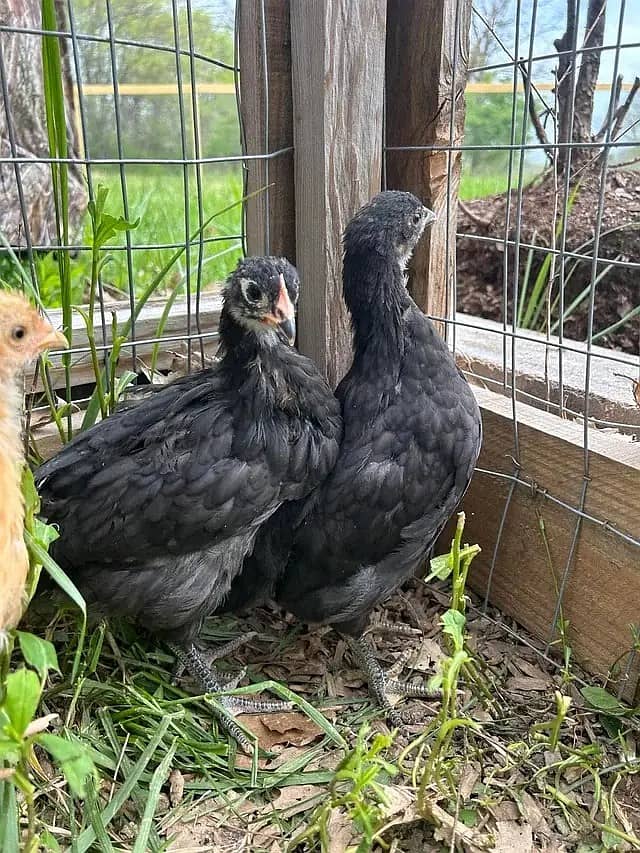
(211, 682)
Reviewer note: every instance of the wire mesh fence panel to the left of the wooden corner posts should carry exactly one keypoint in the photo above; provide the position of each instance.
(189, 66)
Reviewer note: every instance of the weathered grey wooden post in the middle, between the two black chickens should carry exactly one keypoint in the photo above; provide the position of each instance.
(338, 87)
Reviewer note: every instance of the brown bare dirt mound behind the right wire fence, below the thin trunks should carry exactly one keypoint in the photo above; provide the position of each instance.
(480, 264)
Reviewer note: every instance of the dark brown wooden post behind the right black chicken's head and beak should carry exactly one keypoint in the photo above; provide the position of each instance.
(427, 44)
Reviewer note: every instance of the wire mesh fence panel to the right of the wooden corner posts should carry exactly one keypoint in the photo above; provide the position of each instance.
(522, 54)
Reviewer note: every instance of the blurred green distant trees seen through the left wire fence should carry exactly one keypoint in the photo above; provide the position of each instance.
(150, 125)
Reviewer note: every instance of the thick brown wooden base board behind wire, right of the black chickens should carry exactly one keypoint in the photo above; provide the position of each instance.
(602, 597)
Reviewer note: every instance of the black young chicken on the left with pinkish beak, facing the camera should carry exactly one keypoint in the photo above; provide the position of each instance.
(159, 504)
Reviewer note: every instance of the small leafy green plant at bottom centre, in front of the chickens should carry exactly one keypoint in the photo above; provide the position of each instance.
(357, 790)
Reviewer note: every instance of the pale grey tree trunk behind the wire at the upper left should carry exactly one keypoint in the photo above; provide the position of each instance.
(23, 132)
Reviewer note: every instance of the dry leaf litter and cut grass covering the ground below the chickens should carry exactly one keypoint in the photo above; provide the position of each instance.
(500, 787)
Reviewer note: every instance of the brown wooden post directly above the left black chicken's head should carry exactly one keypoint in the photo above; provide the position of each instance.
(266, 110)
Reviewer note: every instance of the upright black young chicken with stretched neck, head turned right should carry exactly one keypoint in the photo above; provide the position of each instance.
(412, 434)
